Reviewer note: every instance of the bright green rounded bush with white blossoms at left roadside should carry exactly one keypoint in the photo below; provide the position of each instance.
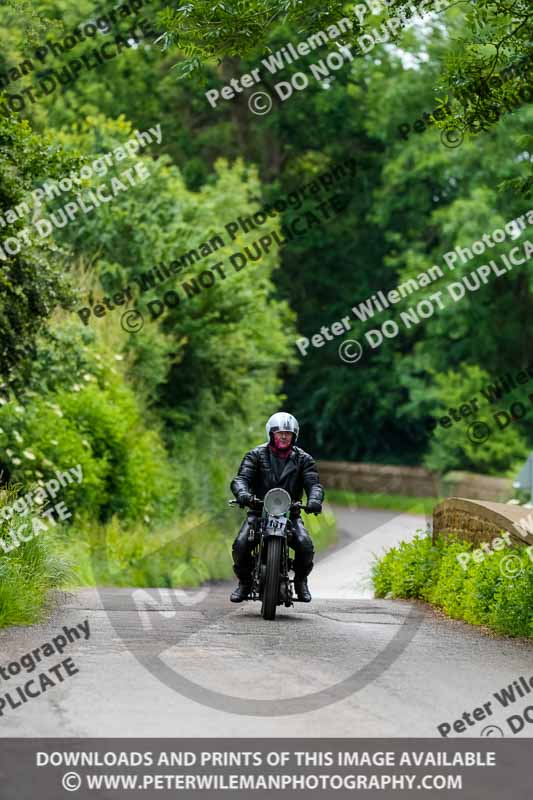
(97, 423)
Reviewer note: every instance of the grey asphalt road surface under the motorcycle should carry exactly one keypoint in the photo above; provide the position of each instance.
(181, 664)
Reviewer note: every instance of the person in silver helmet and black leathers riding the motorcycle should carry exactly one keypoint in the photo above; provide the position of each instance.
(277, 463)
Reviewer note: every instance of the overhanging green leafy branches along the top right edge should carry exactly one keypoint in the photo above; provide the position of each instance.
(486, 38)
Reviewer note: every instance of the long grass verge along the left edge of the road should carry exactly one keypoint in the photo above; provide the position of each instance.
(86, 554)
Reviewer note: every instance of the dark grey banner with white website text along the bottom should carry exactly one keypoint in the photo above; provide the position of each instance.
(48, 769)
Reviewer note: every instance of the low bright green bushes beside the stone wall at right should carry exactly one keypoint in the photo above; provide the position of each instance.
(497, 592)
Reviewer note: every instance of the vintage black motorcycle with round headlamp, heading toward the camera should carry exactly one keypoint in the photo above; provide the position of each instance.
(271, 535)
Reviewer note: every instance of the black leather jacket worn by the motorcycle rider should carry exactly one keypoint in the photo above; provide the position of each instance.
(257, 475)
